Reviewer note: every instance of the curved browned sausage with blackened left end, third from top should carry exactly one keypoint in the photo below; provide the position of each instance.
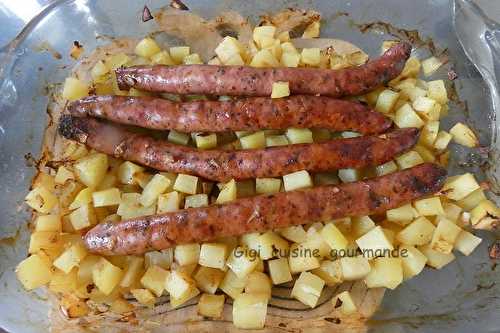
(223, 165)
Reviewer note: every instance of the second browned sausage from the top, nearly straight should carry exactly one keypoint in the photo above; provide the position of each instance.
(247, 114)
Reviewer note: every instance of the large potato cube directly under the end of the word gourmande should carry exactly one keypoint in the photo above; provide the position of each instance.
(386, 272)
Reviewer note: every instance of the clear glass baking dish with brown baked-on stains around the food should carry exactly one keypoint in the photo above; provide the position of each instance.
(461, 297)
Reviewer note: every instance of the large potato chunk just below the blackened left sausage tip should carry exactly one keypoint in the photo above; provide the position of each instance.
(91, 169)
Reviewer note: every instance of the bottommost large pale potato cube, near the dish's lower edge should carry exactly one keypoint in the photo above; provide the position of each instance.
(249, 311)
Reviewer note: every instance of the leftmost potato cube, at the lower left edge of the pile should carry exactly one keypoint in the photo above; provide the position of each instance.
(34, 271)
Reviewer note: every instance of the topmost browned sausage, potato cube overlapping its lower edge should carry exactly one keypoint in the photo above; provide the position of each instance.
(250, 81)
